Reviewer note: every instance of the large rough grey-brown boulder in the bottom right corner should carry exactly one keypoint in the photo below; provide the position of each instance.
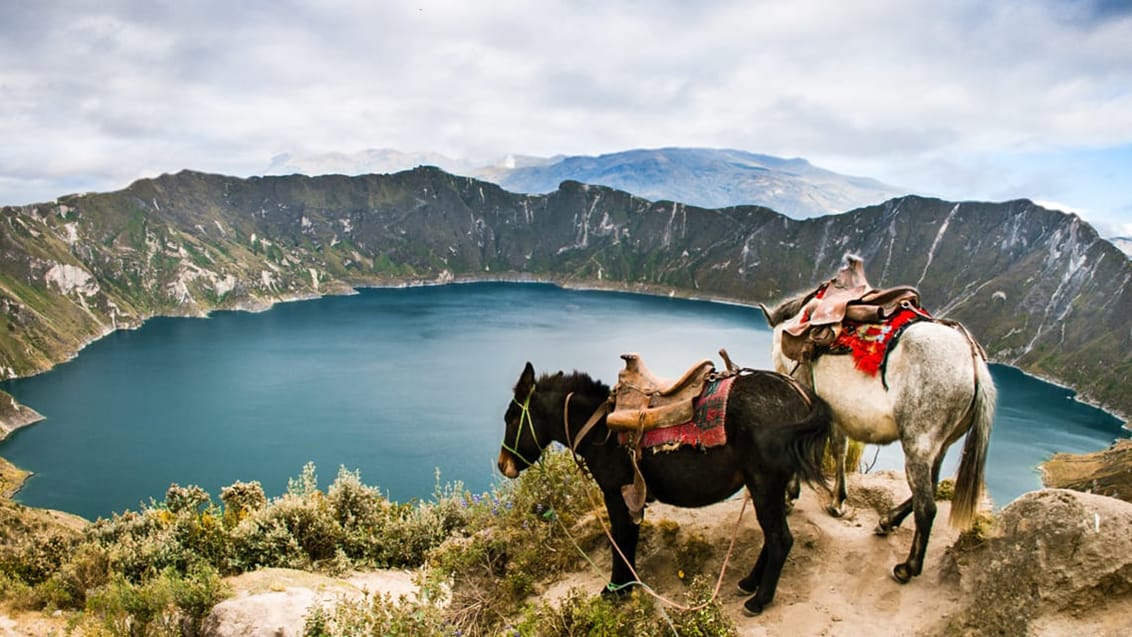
(1058, 559)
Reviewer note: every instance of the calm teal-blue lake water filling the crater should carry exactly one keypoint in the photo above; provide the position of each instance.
(400, 384)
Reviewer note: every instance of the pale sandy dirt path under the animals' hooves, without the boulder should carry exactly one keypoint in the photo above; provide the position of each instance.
(836, 581)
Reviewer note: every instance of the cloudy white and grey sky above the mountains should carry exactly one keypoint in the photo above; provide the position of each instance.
(961, 99)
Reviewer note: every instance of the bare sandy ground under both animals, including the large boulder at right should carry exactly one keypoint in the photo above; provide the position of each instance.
(1059, 563)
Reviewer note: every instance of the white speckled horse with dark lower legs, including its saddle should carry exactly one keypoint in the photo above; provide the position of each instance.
(929, 389)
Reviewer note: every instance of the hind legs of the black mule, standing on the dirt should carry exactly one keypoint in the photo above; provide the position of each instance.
(769, 498)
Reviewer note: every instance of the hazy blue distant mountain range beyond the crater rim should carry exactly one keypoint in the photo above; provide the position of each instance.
(708, 178)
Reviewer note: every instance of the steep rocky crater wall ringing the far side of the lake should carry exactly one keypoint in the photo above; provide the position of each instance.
(1039, 288)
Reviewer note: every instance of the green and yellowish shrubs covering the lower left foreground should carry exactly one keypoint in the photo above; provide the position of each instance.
(159, 571)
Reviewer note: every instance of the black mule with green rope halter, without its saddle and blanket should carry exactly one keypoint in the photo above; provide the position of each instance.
(775, 431)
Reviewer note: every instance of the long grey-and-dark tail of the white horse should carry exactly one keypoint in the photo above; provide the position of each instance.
(970, 483)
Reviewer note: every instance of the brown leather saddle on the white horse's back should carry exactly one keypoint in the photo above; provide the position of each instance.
(848, 297)
